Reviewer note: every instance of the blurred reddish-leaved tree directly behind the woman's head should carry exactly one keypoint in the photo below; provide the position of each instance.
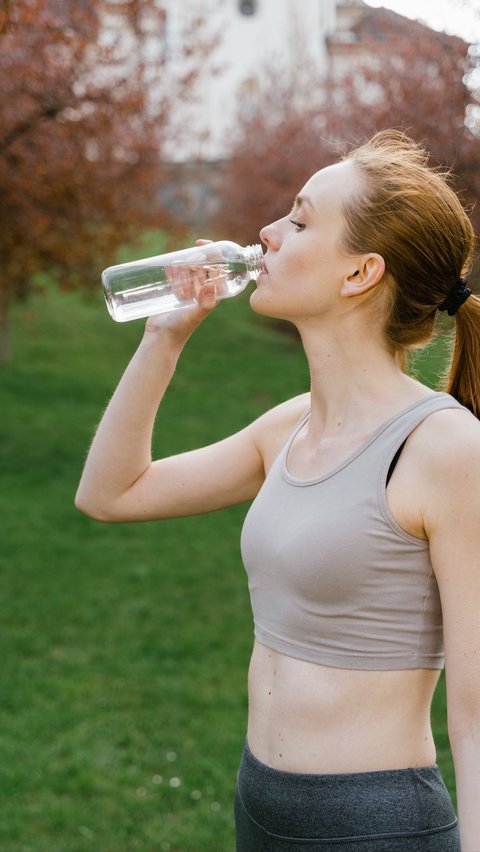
(396, 73)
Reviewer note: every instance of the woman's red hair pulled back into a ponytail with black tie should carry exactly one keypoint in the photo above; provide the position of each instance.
(409, 213)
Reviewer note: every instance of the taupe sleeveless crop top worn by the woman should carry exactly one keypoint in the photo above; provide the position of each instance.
(333, 579)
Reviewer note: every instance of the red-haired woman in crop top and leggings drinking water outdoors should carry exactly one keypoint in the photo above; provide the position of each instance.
(363, 534)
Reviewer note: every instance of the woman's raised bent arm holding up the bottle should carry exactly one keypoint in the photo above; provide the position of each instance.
(121, 483)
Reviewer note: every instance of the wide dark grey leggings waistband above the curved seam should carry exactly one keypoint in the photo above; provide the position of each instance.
(386, 801)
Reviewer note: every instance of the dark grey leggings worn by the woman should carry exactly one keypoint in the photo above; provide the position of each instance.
(404, 810)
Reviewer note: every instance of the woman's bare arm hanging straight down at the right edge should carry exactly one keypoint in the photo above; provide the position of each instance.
(452, 522)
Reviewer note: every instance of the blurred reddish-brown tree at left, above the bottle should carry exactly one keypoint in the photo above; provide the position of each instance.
(88, 104)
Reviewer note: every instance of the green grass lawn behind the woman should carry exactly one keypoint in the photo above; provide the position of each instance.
(124, 648)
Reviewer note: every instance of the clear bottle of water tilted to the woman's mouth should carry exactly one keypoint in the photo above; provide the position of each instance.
(156, 285)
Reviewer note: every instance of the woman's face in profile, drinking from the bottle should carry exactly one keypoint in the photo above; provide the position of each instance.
(305, 267)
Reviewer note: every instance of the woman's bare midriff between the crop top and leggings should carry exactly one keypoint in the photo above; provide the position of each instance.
(305, 717)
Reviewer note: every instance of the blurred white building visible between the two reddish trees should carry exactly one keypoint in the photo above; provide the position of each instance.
(253, 33)
